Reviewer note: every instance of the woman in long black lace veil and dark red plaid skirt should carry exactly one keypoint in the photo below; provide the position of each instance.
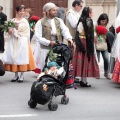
(84, 61)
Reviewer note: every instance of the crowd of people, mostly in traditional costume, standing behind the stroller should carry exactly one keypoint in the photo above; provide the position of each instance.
(76, 27)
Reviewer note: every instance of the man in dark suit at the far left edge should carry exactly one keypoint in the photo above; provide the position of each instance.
(3, 18)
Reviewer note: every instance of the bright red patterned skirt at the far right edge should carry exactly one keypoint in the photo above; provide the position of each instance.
(116, 72)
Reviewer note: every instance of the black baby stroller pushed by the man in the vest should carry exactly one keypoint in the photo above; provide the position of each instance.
(43, 90)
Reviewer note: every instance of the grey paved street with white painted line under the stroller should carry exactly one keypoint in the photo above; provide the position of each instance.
(100, 102)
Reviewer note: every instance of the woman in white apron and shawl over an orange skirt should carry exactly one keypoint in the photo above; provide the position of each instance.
(18, 56)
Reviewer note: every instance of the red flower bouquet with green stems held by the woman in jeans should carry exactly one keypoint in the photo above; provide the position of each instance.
(101, 31)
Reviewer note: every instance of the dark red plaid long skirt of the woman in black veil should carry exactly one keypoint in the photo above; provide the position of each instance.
(83, 67)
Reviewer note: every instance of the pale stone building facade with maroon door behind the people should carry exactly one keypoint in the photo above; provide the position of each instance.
(101, 6)
